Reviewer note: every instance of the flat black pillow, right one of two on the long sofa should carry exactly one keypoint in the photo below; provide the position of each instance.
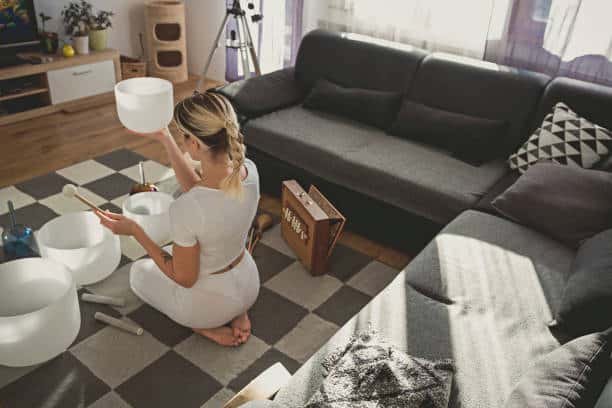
(469, 138)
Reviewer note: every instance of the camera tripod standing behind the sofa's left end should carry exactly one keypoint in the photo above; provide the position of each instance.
(240, 40)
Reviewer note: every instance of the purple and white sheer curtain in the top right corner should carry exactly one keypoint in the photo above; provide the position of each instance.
(558, 37)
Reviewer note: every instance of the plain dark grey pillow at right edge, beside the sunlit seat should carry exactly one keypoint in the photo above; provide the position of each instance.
(586, 304)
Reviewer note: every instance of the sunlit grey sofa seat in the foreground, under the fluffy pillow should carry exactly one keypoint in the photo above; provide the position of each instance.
(502, 279)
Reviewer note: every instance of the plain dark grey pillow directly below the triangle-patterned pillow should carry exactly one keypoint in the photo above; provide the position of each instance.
(568, 203)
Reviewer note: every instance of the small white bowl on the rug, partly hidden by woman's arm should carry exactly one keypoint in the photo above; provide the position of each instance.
(151, 210)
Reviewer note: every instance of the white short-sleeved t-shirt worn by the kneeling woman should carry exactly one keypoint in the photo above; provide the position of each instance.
(220, 223)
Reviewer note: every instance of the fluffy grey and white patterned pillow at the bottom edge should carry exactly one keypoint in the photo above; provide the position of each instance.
(368, 372)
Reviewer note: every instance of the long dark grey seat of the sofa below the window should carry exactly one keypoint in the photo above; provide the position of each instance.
(412, 176)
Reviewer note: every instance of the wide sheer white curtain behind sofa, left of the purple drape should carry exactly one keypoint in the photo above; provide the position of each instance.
(458, 26)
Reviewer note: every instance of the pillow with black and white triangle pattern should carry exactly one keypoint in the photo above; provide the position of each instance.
(564, 138)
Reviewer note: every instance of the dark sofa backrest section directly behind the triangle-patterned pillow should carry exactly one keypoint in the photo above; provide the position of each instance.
(592, 101)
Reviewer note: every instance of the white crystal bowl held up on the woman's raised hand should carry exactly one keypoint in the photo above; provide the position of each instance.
(144, 105)
